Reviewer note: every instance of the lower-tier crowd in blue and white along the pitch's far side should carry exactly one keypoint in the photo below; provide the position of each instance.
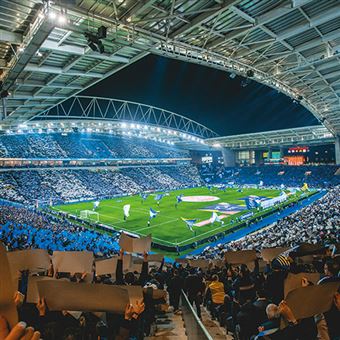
(66, 185)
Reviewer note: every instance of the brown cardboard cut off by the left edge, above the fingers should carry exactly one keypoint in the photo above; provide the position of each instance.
(7, 307)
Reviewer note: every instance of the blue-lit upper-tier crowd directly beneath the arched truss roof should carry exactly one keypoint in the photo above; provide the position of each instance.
(84, 145)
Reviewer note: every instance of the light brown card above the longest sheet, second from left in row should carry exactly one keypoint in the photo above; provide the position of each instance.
(72, 261)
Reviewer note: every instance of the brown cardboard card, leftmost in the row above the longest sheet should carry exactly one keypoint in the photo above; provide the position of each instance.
(34, 260)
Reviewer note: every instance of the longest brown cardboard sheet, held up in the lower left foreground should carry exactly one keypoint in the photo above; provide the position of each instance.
(61, 295)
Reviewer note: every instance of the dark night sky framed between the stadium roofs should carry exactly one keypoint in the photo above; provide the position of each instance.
(204, 94)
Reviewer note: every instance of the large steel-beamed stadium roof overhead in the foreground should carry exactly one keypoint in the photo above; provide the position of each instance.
(290, 45)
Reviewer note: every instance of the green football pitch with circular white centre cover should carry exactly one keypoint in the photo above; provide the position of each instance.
(167, 227)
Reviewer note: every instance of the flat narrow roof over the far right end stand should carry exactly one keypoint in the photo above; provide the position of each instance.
(287, 137)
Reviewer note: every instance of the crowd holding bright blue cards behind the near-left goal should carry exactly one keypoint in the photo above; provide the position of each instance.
(23, 228)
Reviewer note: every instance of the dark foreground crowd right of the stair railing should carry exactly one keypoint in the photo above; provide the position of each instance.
(250, 301)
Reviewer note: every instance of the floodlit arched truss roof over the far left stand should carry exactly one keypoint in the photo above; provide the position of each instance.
(120, 117)
